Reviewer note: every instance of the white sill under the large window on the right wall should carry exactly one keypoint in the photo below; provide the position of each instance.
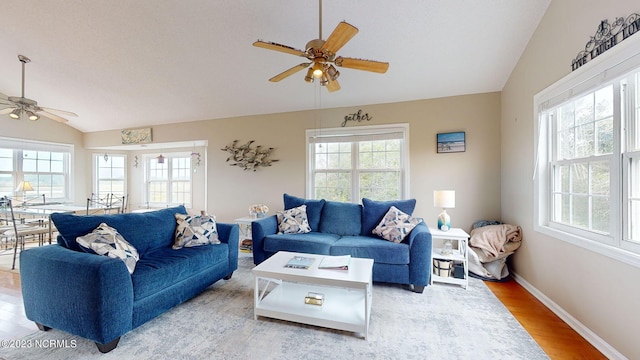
(612, 252)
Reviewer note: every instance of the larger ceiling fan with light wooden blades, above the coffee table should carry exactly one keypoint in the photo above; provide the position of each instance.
(322, 56)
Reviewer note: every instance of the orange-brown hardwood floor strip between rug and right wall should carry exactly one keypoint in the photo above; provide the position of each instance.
(553, 335)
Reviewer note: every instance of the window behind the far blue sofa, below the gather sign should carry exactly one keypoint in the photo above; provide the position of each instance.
(365, 161)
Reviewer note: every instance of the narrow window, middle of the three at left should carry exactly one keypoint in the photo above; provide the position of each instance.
(110, 175)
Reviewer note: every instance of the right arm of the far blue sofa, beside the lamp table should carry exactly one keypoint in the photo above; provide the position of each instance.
(420, 255)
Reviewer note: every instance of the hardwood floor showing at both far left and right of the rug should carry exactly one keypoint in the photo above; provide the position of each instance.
(555, 337)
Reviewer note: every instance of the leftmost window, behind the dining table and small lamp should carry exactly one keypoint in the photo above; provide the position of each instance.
(46, 166)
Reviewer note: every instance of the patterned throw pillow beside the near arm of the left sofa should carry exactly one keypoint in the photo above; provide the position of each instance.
(107, 241)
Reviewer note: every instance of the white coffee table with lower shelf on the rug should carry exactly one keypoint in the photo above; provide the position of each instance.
(280, 292)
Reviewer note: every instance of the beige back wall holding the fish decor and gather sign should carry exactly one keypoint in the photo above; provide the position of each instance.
(474, 174)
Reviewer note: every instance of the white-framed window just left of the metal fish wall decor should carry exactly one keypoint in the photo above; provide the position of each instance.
(169, 182)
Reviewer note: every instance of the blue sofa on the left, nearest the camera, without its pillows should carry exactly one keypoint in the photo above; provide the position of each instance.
(96, 297)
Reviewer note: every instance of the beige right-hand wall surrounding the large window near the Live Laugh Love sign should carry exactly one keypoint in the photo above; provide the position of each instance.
(596, 291)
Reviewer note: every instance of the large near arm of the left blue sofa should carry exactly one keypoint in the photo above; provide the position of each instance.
(84, 294)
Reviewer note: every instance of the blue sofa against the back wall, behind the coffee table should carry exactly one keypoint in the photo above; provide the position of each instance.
(339, 228)
